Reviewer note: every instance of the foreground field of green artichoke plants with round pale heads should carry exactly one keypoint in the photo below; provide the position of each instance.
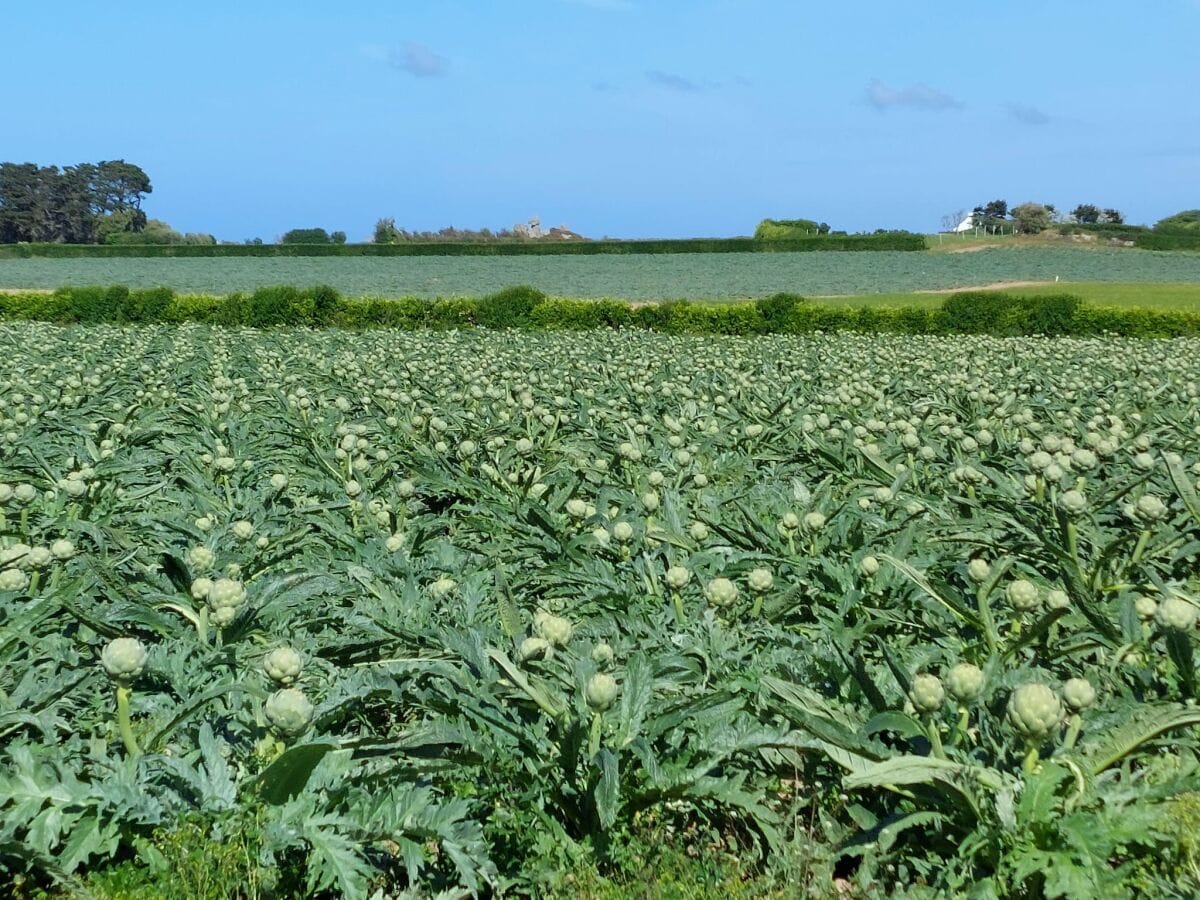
(370, 614)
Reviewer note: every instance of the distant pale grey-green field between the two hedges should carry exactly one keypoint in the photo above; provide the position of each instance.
(701, 277)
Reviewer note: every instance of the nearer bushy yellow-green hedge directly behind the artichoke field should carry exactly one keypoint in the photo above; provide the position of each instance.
(525, 308)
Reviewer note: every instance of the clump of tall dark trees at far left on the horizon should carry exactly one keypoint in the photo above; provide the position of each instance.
(76, 205)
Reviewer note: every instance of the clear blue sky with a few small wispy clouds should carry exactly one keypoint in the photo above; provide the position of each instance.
(623, 118)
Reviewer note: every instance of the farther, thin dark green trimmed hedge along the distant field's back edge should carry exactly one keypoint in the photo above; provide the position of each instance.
(895, 242)
